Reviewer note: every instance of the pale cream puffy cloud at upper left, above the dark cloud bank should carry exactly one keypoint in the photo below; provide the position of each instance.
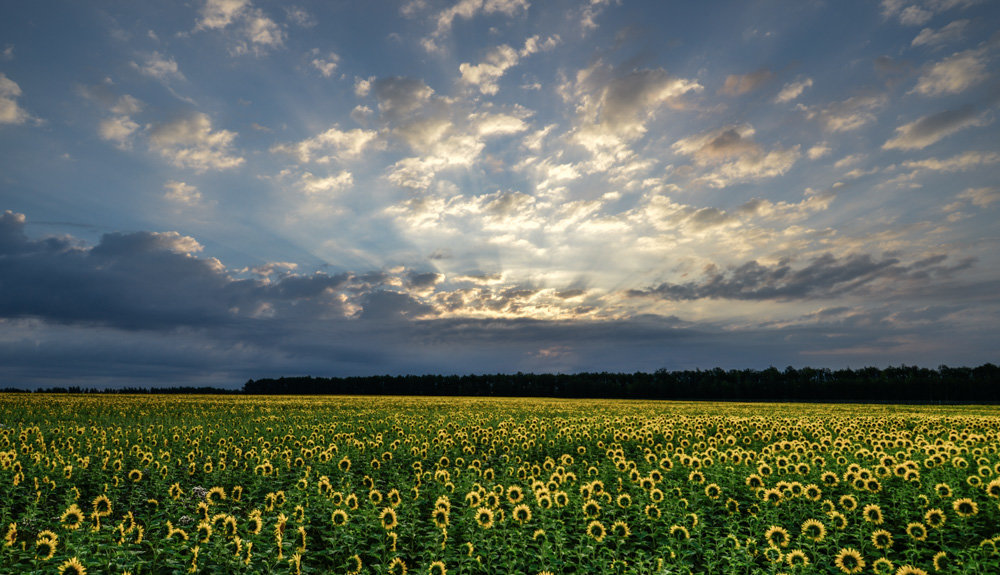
(190, 142)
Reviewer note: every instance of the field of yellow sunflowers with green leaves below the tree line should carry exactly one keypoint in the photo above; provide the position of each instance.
(235, 484)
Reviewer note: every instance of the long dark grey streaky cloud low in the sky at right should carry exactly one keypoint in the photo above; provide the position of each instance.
(823, 277)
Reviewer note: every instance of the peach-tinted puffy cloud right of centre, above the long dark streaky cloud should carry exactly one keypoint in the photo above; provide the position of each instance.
(734, 156)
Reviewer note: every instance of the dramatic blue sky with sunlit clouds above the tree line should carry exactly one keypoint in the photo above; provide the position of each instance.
(202, 192)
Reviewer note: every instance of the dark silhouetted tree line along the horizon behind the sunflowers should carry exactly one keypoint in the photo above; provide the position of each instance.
(904, 384)
